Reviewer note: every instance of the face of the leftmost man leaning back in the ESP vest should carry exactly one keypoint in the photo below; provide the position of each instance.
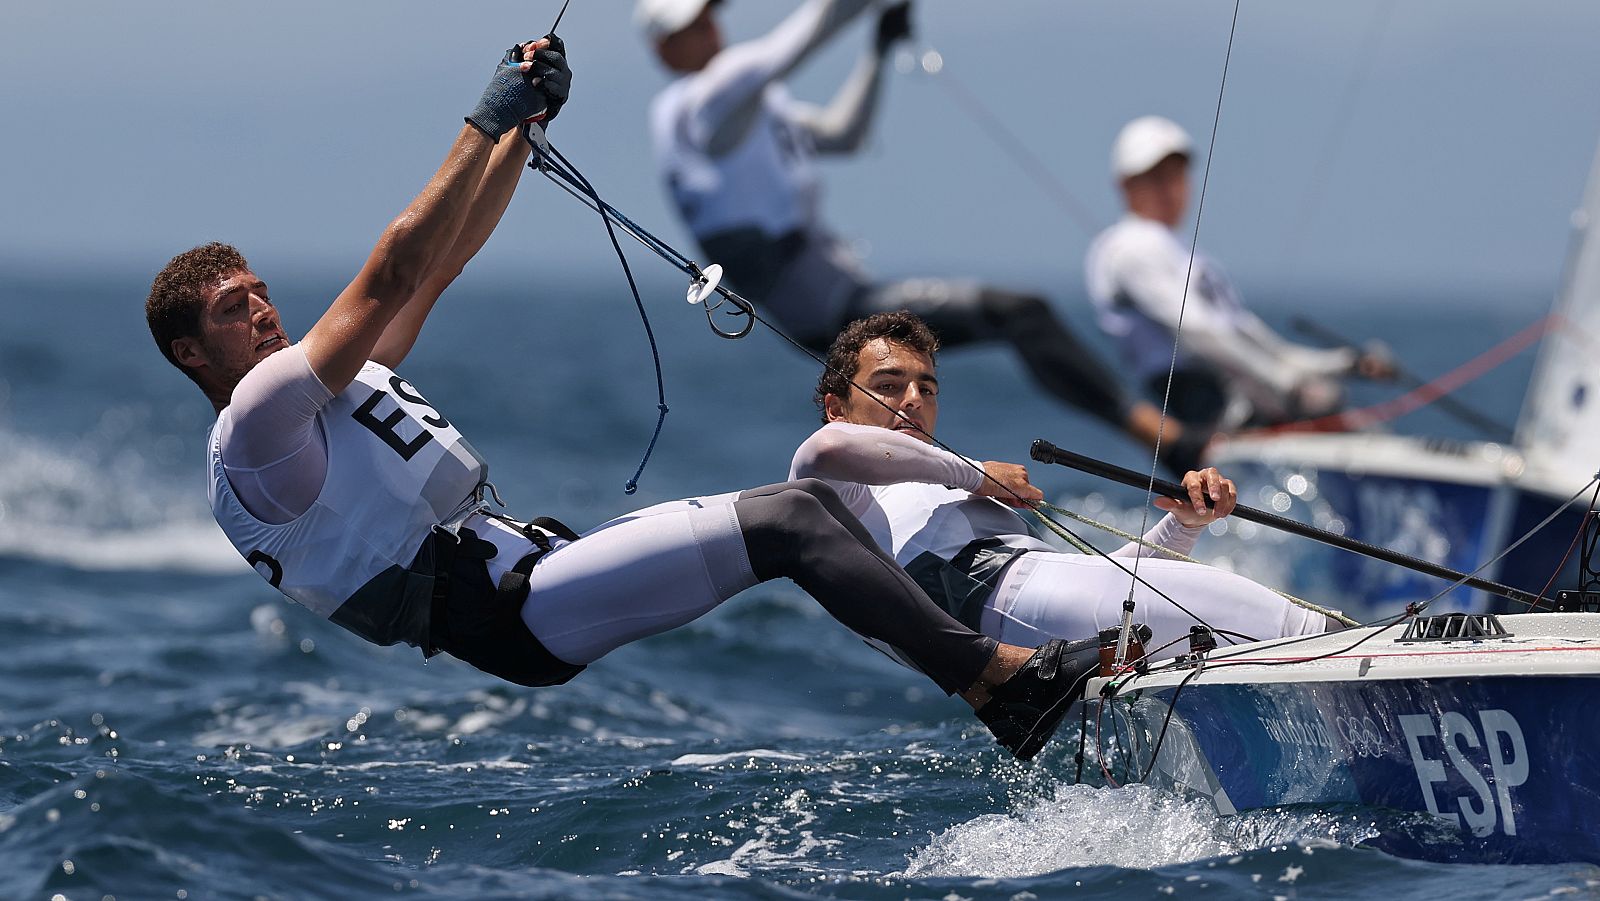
(239, 327)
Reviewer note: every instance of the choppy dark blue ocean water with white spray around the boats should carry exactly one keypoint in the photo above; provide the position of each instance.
(172, 729)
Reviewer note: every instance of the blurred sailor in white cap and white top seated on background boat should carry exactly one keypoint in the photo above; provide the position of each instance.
(1233, 370)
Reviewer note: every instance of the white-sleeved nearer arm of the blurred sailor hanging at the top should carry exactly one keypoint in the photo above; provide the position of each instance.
(726, 98)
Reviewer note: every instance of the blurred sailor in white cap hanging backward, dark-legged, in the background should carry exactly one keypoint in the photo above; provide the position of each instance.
(738, 158)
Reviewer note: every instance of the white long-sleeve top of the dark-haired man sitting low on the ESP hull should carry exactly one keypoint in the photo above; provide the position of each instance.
(918, 499)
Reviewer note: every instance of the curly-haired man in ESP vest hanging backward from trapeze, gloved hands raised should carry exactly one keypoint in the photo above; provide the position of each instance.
(354, 495)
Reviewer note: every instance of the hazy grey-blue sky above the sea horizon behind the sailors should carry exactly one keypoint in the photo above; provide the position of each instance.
(1422, 146)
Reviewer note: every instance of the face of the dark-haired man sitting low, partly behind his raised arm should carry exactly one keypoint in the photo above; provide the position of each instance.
(902, 391)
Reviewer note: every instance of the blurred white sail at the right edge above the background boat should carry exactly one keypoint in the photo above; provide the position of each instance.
(1559, 431)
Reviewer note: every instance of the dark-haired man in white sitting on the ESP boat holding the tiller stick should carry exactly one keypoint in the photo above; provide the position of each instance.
(961, 537)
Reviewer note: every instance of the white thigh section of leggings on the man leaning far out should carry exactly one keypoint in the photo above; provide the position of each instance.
(586, 598)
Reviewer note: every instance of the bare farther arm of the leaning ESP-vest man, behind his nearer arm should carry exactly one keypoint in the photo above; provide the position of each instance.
(484, 214)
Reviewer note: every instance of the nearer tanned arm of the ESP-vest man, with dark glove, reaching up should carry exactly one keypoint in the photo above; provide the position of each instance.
(417, 242)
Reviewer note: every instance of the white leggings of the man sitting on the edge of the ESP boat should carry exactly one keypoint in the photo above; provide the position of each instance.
(1073, 596)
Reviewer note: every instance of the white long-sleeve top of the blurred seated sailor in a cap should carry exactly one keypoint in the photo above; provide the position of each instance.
(1137, 271)
